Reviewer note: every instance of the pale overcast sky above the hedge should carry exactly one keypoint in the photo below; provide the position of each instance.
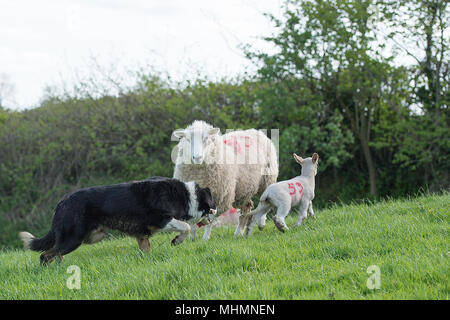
(42, 42)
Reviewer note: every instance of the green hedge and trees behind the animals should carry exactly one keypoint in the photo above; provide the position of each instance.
(331, 87)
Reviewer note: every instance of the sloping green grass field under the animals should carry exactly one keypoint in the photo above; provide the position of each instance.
(326, 258)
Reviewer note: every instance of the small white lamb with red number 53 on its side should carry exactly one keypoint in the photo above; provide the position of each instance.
(286, 194)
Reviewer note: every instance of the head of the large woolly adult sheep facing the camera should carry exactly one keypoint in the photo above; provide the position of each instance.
(194, 140)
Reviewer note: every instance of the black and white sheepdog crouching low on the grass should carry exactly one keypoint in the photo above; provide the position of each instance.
(139, 208)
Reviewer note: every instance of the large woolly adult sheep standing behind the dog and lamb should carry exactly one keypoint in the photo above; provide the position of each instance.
(234, 166)
